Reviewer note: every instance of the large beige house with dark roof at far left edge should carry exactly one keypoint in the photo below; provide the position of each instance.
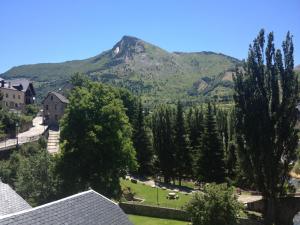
(17, 93)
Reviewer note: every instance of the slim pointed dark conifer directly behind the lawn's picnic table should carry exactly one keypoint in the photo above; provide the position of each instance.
(183, 161)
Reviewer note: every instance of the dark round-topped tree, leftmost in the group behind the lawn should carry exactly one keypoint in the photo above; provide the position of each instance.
(163, 141)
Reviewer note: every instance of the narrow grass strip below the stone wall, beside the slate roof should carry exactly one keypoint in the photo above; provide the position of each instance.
(143, 220)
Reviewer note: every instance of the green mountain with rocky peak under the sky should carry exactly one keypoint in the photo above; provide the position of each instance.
(154, 73)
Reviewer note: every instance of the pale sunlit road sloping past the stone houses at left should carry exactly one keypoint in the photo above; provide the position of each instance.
(33, 134)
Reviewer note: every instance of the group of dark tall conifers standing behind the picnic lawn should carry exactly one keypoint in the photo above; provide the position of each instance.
(188, 145)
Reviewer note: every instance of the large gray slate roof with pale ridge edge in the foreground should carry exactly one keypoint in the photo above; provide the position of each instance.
(86, 208)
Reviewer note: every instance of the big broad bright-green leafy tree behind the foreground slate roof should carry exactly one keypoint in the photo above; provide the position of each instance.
(96, 141)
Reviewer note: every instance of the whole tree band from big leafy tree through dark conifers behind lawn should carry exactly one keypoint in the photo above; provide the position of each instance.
(111, 133)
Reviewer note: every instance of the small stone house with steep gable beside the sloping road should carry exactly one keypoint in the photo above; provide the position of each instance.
(53, 108)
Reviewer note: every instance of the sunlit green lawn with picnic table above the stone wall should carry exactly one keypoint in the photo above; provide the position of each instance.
(150, 195)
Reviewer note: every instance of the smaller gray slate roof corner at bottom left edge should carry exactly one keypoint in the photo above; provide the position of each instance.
(10, 201)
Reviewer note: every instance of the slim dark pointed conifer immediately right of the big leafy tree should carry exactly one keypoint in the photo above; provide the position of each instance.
(142, 144)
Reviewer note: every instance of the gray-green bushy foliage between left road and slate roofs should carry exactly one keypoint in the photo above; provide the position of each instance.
(30, 171)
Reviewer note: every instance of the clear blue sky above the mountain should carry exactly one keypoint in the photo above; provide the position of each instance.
(35, 31)
